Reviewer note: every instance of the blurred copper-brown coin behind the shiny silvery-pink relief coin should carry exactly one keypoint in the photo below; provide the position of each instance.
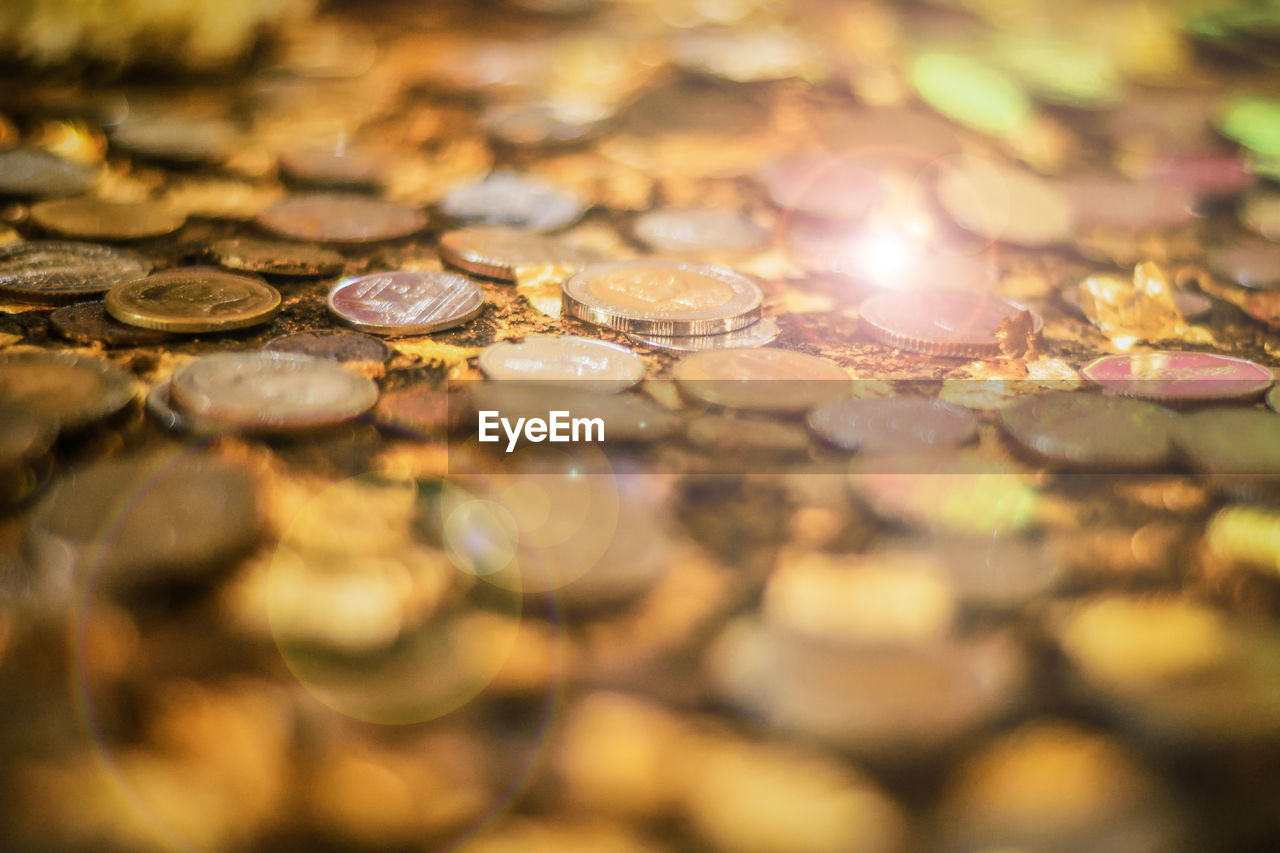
(335, 218)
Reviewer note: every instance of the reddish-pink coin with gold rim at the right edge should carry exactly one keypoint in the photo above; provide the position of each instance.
(1180, 377)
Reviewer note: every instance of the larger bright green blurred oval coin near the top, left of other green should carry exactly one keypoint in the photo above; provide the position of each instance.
(971, 93)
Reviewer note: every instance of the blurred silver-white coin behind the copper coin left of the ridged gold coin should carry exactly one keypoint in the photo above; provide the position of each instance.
(511, 199)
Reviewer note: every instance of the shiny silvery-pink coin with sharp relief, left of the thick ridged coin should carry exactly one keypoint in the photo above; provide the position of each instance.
(403, 303)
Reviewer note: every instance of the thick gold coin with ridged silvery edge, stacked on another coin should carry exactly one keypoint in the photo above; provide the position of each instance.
(664, 298)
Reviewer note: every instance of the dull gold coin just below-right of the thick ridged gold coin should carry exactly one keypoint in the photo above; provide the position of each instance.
(775, 381)
